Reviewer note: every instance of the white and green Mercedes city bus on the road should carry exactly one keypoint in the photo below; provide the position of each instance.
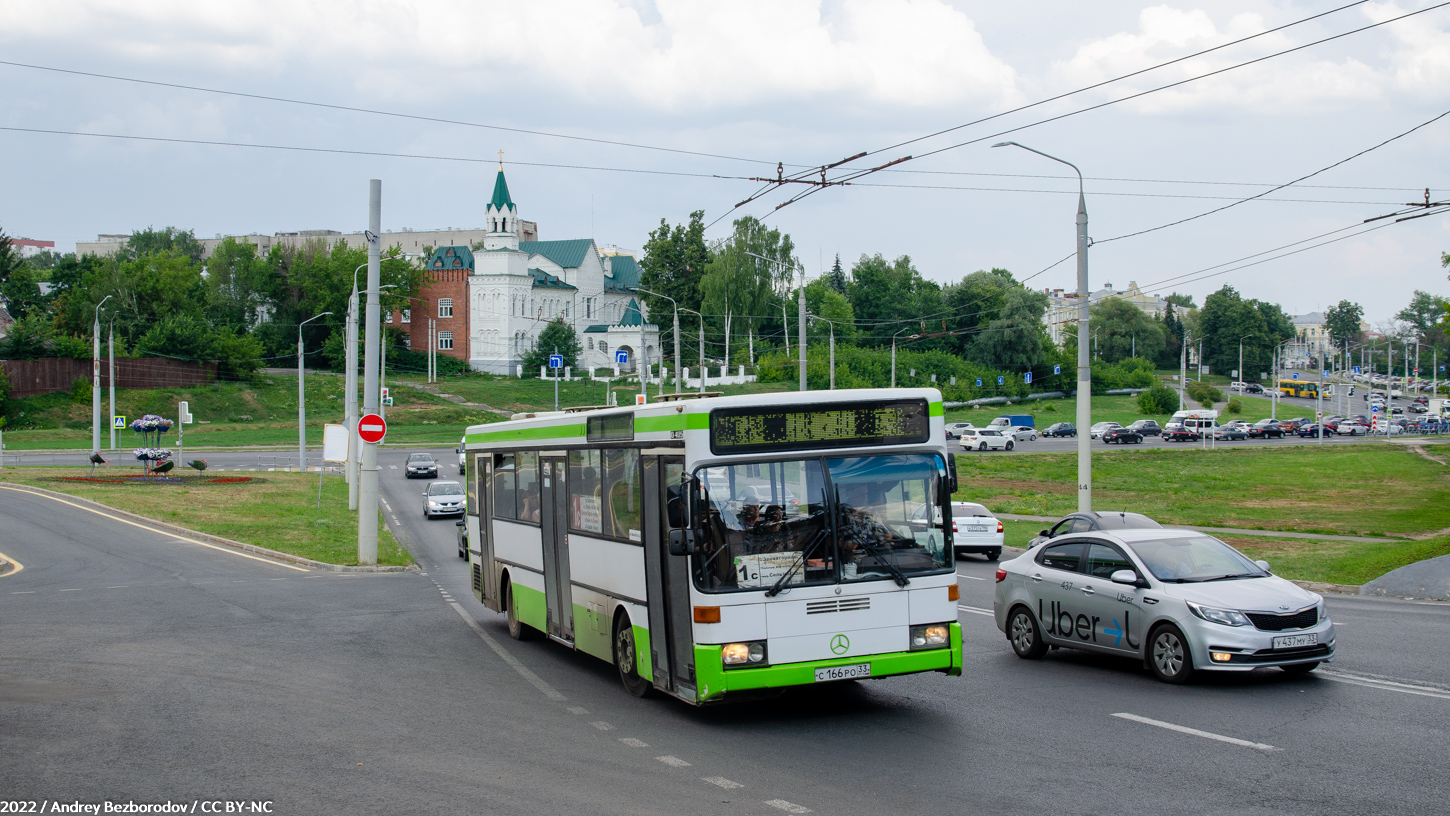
(724, 549)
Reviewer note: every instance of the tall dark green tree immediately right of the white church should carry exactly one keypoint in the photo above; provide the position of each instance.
(674, 265)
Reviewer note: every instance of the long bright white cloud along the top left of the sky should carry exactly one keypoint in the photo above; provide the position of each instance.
(689, 56)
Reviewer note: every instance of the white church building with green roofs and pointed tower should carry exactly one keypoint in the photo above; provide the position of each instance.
(517, 288)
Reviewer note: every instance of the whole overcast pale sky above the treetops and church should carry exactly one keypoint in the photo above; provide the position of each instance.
(797, 82)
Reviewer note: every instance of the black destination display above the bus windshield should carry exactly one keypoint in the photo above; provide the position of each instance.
(750, 430)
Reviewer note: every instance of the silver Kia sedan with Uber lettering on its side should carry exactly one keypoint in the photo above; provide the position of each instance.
(1180, 601)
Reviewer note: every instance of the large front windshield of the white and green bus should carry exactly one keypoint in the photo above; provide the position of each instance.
(778, 525)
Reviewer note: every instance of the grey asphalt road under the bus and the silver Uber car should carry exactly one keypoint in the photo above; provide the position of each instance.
(141, 667)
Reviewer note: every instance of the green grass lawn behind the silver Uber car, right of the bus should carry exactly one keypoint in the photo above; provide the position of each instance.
(1371, 491)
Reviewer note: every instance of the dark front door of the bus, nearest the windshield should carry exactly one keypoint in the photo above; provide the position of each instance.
(668, 580)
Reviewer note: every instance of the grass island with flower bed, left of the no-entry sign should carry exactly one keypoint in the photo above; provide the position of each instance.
(279, 512)
